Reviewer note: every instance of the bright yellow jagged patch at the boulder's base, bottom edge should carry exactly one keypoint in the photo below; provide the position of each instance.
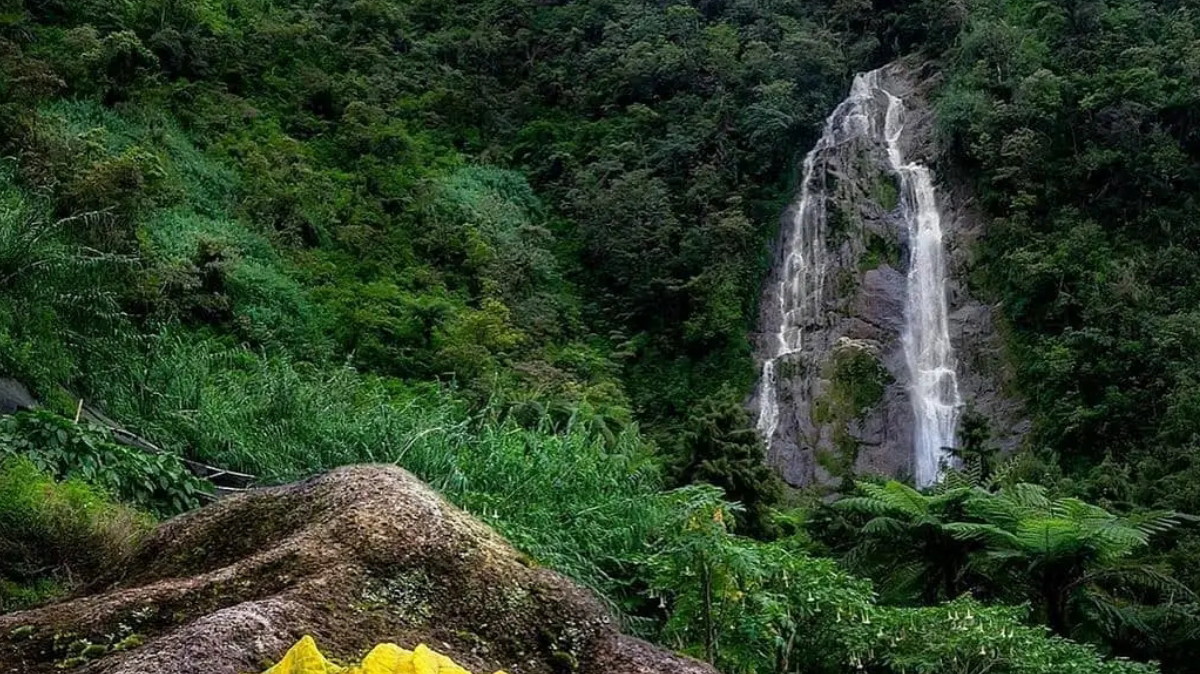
(386, 659)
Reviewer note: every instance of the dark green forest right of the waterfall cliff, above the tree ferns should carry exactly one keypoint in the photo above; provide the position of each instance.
(1072, 122)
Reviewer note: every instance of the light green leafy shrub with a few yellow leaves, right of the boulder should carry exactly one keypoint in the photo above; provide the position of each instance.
(747, 606)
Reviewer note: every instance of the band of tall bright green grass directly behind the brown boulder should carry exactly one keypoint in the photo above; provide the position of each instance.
(571, 497)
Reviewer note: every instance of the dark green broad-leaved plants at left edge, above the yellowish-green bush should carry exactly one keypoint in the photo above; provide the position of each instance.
(87, 453)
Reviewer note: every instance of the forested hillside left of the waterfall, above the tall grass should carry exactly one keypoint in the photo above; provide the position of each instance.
(314, 180)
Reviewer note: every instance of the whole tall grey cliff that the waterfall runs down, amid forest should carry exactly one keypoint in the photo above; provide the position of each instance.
(836, 396)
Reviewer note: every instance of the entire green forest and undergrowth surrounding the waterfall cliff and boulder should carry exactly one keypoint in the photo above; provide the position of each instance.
(517, 248)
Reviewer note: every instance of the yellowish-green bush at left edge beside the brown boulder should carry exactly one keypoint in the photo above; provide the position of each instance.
(53, 534)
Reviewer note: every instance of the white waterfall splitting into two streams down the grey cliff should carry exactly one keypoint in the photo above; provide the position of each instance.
(801, 286)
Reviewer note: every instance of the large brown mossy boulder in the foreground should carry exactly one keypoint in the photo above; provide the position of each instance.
(357, 557)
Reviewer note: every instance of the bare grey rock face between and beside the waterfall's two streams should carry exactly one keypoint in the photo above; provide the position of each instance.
(819, 442)
